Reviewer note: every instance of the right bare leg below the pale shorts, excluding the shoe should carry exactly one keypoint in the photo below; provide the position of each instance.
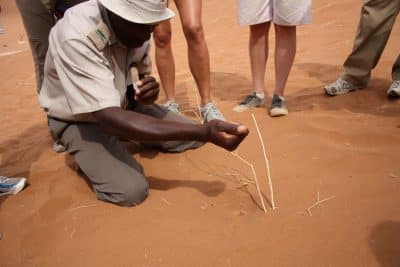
(285, 52)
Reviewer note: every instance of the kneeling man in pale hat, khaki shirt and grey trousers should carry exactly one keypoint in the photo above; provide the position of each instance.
(92, 102)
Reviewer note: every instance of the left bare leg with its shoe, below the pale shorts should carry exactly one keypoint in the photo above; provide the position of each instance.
(258, 51)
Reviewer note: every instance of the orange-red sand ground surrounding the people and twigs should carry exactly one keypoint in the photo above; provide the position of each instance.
(347, 147)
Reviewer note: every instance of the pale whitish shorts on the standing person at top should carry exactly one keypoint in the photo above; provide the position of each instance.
(280, 12)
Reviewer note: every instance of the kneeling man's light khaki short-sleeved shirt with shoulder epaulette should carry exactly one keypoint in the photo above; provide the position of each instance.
(86, 68)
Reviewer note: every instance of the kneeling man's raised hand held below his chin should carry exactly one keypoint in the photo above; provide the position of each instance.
(146, 90)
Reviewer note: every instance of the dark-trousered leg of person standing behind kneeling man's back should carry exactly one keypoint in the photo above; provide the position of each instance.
(37, 21)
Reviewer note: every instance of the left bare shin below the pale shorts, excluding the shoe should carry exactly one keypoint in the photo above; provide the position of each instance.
(258, 51)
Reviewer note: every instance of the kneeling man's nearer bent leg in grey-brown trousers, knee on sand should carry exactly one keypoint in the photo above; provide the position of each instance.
(114, 175)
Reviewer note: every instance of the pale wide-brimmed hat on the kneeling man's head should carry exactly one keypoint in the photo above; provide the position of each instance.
(140, 11)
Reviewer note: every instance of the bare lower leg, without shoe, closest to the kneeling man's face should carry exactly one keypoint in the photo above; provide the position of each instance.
(164, 58)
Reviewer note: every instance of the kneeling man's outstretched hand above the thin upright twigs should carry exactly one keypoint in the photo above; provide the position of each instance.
(226, 135)
